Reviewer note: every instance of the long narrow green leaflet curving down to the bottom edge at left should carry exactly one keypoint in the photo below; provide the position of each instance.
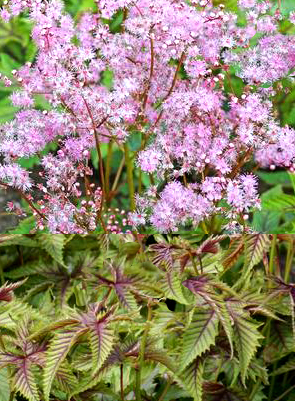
(57, 352)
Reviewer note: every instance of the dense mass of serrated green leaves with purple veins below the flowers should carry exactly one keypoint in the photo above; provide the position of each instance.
(114, 317)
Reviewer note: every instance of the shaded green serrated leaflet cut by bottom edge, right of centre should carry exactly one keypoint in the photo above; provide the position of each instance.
(192, 379)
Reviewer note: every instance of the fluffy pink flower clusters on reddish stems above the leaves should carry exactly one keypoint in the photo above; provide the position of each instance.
(183, 128)
